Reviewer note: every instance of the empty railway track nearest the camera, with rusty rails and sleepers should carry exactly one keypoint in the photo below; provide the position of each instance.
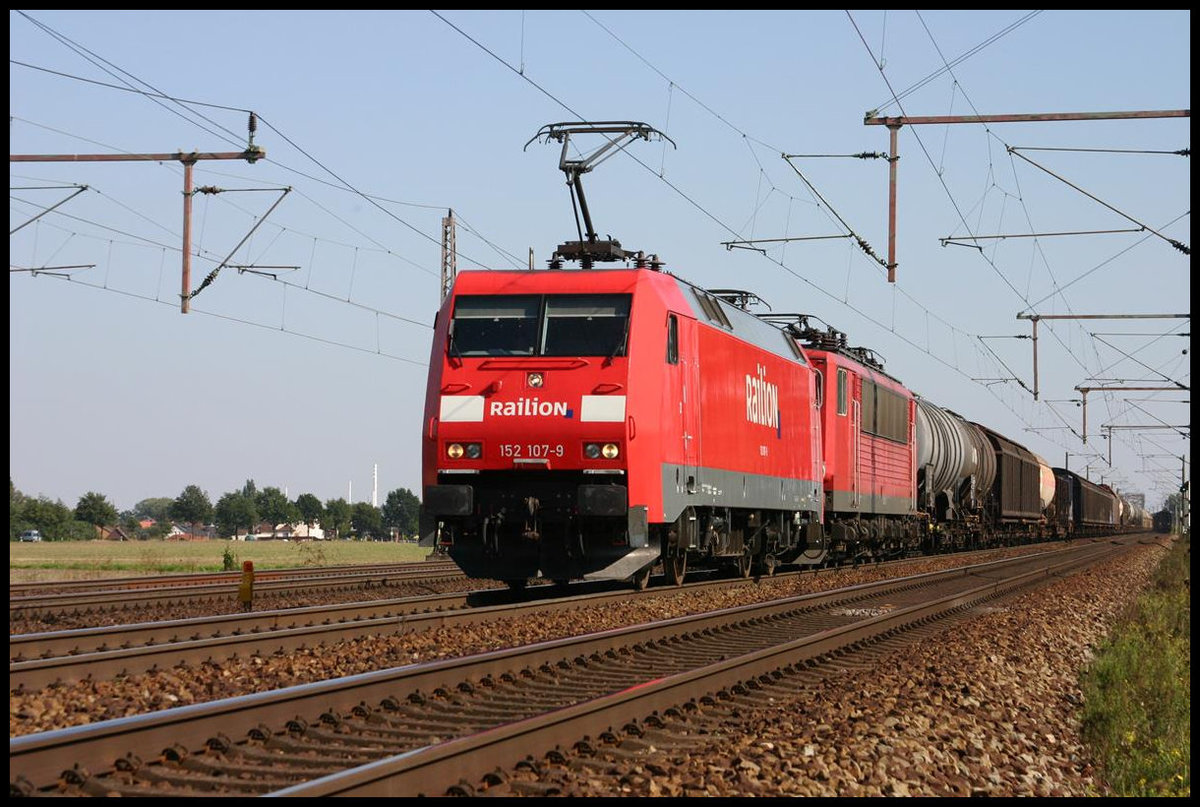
(446, 726)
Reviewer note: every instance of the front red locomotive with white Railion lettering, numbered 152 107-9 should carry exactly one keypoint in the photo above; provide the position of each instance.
(589, 425)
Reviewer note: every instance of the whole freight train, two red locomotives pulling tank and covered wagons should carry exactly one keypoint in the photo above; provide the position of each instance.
(599, 423)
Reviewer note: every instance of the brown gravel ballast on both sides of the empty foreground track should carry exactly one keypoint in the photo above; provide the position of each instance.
(987, 708)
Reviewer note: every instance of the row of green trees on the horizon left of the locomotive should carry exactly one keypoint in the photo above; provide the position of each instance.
(235, 515)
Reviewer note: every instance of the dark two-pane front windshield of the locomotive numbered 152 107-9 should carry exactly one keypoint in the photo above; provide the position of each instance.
(539, 325)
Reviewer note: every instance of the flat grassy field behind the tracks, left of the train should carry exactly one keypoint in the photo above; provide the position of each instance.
(77, 560)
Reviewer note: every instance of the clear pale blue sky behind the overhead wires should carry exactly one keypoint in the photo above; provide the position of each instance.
(381, 122)
